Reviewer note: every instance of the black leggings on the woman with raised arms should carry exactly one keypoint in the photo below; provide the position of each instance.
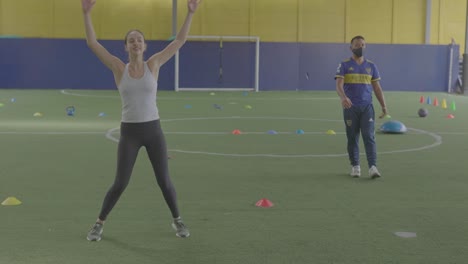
(132, 137)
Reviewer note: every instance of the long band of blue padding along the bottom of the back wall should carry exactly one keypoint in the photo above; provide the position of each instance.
(69, 64)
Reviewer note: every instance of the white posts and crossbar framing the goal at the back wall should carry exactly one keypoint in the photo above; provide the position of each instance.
(220, 39)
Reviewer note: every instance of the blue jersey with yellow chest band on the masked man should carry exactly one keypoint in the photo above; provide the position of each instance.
(358, 80)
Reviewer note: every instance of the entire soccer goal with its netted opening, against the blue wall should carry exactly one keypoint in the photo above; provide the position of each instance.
(218, 63)
